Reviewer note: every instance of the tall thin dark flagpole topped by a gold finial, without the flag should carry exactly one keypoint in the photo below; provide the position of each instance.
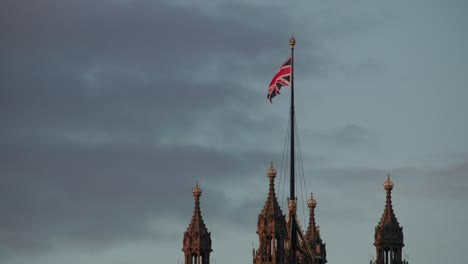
(292, 197)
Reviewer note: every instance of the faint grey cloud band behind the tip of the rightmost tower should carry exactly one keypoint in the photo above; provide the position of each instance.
(410, 182)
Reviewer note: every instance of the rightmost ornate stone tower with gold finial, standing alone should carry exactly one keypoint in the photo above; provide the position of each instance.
(389, 233)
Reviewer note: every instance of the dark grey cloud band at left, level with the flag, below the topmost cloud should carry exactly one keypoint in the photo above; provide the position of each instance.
(121, 103)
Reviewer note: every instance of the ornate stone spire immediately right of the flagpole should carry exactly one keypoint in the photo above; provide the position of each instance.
(312, 236)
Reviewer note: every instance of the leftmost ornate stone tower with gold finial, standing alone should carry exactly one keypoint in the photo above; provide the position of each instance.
(197, 239)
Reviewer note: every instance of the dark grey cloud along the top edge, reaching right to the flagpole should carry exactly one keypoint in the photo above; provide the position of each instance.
(158, 39)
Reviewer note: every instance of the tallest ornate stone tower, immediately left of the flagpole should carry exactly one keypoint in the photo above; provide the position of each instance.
(271, 229)
